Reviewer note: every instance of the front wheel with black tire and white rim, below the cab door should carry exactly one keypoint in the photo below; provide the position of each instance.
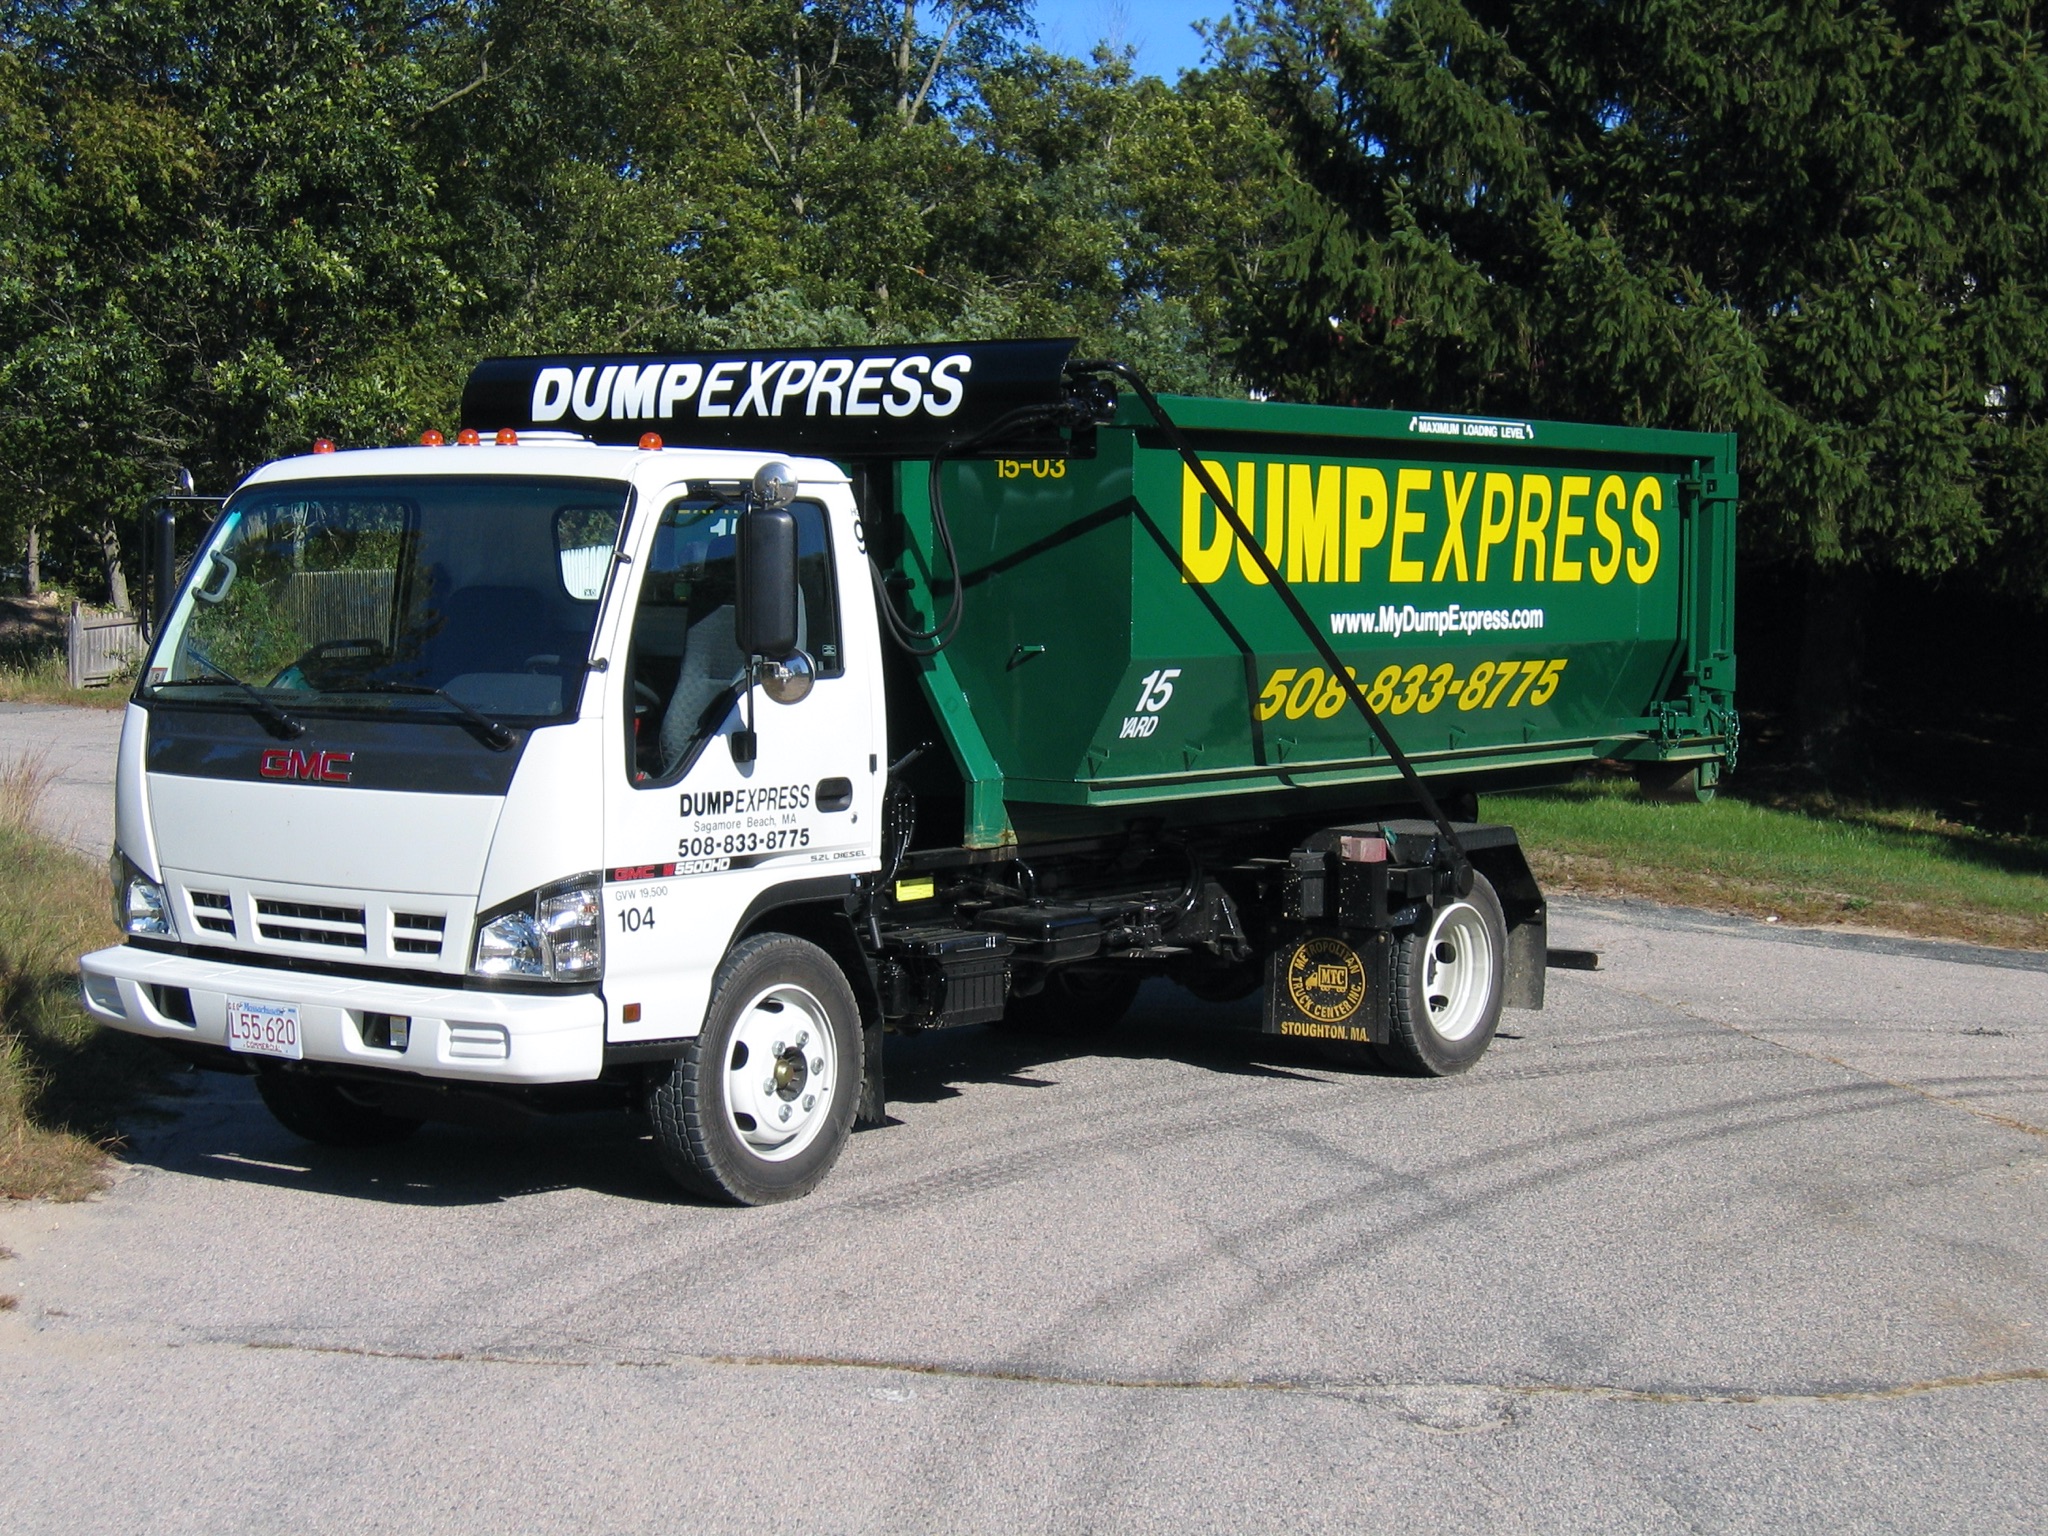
(716, 1125)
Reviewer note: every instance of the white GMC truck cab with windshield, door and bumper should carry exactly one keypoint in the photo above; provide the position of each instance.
(431, 749)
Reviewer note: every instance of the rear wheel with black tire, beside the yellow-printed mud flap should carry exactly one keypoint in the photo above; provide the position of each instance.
(1449, 992)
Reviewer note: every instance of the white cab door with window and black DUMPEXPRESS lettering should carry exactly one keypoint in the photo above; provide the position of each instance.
(693, 837)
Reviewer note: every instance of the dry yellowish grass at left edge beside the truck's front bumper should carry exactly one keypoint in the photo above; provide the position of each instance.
(65, 1082)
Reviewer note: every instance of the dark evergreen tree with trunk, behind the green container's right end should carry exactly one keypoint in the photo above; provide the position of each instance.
(1824, 226)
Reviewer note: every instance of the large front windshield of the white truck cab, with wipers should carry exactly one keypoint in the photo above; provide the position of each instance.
(396, 595)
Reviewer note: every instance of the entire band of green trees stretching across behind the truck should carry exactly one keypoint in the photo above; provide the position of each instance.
(232, 224)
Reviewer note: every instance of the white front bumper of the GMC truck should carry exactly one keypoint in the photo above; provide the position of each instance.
(474, 1037)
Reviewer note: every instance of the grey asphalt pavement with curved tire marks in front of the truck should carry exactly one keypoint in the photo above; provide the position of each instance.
(1742, 1234)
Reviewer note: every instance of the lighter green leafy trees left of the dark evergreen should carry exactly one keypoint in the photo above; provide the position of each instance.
(228, 226)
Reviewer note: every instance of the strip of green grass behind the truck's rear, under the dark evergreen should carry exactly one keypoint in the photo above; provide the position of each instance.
(1801, 859)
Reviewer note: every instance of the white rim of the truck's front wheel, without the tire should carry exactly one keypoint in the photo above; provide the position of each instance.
(781, 1072)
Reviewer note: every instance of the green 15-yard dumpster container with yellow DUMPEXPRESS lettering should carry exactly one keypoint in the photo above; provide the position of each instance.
(1517, 599)
